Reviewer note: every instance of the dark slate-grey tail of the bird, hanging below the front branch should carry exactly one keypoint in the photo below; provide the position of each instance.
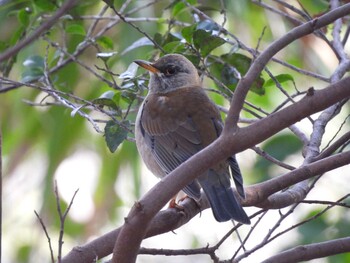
(222, 200)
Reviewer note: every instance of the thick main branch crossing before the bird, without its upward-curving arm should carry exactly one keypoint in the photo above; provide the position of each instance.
(141, 214)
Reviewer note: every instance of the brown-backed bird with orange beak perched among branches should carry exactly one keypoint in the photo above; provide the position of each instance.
(176, 120)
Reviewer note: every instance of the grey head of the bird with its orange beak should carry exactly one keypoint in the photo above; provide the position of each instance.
(170, 72)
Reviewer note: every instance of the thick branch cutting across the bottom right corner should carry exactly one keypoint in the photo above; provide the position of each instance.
(308, 252)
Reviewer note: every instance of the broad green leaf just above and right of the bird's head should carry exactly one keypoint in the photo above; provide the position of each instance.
(205, 42)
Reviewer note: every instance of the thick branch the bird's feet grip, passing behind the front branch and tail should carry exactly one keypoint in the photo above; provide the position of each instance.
(171, 219)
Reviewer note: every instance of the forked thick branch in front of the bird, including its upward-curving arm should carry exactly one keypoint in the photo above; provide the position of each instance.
(140, 216)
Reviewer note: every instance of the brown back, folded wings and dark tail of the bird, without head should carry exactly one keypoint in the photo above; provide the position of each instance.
(176, 126)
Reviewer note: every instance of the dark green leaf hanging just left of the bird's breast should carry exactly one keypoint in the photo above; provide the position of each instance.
(115, 134)
